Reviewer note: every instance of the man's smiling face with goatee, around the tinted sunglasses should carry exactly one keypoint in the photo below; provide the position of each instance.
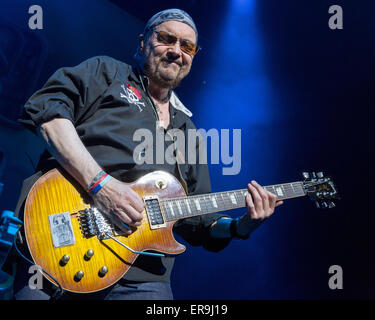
(164, 64)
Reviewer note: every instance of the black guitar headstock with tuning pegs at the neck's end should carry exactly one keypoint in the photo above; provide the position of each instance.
(321, 189)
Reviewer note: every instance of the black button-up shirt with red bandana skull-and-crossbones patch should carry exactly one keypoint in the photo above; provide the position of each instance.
(107, 102)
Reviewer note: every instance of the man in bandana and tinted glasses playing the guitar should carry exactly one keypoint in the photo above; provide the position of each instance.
(88, 114)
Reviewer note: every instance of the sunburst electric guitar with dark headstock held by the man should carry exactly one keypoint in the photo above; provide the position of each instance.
(80, 250)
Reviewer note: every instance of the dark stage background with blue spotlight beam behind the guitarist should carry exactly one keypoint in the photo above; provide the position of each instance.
(301, 93)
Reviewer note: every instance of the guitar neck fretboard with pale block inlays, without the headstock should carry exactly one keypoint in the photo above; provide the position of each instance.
(184, 207)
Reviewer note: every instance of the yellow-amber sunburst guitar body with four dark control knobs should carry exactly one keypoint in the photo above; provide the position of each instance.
(82, 260)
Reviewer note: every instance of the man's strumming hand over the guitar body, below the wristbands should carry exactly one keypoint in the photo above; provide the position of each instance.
(121, 204)
